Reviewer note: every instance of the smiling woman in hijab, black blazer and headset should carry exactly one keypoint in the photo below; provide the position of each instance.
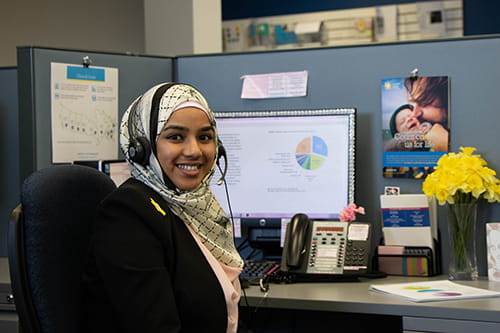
(162, 257)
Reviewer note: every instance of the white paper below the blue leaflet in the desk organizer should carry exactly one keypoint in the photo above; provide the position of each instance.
(409, 236)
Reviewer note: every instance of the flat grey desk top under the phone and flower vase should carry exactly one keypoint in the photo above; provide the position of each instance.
(354, 297)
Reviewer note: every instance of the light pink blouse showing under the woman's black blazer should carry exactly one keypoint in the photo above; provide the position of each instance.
(228, 279)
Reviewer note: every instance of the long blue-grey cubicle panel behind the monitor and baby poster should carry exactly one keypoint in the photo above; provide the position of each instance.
(351, 77)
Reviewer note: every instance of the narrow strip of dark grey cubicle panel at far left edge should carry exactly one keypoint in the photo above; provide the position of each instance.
(9, 150)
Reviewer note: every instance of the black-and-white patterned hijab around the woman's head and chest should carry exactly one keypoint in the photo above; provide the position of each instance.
(198, 208)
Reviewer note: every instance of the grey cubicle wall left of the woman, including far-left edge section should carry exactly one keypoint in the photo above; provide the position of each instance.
(26, 131)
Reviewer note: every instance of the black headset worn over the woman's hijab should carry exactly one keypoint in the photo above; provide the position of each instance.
(140, 148)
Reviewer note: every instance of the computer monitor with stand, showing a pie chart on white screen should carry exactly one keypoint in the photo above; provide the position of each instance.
(280, 163)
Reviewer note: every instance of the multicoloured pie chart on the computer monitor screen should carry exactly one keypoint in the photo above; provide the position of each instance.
(311, 152)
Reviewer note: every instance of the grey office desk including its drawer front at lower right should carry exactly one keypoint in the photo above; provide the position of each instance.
(471, 315)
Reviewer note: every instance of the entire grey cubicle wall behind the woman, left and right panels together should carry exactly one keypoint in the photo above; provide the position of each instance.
(338, 77)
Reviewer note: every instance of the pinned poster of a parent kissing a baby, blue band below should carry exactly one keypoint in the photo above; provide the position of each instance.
(415, 125)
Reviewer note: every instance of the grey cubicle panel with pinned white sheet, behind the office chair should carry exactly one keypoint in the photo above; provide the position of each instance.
(135, 75)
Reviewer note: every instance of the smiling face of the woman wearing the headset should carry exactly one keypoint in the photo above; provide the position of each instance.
(186, 147)
